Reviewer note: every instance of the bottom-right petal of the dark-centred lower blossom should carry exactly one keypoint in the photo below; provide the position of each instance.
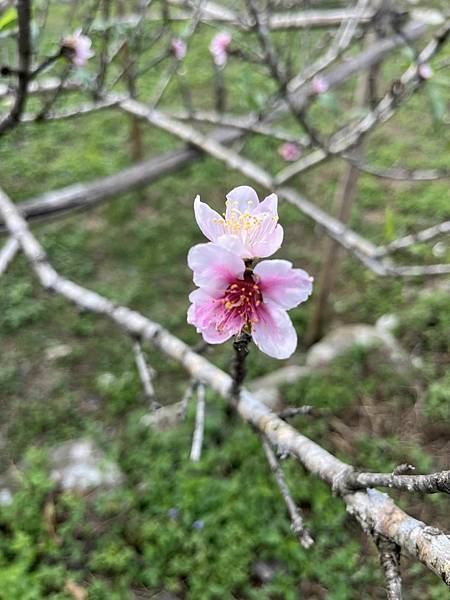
(274, 333)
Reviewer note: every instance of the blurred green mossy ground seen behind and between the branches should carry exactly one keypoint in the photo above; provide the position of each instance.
(124, 544)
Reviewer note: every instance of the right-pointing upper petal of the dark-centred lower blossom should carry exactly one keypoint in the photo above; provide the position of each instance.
(282, 284)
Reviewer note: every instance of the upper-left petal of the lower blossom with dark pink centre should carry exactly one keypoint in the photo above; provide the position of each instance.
(214, 267)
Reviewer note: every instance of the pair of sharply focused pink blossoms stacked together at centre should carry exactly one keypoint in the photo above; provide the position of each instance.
(234, 294)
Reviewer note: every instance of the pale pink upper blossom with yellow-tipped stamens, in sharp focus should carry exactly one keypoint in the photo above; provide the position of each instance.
(253, 224)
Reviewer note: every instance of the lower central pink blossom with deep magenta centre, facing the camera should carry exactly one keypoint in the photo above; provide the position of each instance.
(231, 297)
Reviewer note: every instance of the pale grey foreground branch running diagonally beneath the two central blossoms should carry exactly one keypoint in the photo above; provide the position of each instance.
(376, 512)
